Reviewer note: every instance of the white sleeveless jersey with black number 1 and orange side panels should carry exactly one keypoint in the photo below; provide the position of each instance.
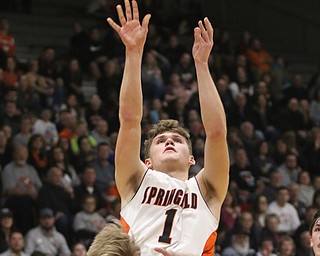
(169, 213)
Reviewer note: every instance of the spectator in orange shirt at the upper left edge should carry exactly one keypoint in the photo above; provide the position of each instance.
(7, 42)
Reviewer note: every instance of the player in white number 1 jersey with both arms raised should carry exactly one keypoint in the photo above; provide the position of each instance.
(161, 208)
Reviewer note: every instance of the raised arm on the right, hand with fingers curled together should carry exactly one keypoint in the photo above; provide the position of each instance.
(214, 177)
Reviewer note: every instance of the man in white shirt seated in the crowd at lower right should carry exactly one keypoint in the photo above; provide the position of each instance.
(287, 213)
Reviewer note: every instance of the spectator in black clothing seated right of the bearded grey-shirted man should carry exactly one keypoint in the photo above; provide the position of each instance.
(54, 196)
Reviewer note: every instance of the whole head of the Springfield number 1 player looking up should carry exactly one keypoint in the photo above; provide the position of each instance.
(168, 145)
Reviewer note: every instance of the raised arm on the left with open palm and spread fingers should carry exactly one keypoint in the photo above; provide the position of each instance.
(128, 166)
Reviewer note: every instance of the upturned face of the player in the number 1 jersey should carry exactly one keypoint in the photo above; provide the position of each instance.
(170, 147)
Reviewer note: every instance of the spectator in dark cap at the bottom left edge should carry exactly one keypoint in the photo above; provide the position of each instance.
(6, 228)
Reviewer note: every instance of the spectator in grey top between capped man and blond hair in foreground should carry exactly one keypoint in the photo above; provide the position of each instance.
(88, 223)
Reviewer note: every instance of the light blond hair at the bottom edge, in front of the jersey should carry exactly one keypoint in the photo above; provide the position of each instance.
(112, 240)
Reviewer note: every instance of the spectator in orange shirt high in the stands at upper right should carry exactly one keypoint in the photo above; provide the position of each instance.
(259, 59)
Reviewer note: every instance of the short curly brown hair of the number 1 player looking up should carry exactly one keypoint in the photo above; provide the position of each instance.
(168, 125)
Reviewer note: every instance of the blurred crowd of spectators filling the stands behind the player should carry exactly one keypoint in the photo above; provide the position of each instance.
(56, 145)
